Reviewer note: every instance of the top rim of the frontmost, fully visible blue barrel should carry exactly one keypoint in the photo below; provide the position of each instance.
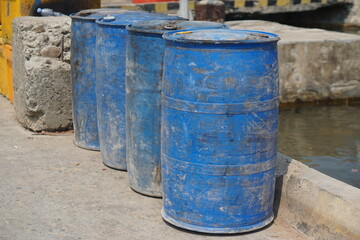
(175, 37)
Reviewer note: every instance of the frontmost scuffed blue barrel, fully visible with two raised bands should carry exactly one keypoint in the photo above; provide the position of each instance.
(219, 129)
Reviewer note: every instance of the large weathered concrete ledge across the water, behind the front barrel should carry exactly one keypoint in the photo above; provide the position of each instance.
(314, 64)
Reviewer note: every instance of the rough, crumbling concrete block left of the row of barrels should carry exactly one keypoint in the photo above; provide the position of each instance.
(41, 72)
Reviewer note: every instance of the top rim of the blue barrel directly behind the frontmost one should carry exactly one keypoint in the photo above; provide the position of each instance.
(143, 27)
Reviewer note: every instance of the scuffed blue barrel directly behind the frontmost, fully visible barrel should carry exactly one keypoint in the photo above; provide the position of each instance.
(145, 55)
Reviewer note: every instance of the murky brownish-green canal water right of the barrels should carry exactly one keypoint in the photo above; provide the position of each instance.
(326, 138)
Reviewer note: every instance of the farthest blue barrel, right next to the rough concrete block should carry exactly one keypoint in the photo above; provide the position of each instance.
(83, 40)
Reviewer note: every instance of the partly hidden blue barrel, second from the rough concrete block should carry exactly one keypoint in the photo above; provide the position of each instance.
(110, 83)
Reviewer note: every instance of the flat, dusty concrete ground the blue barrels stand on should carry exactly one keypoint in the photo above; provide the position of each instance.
(51, 189)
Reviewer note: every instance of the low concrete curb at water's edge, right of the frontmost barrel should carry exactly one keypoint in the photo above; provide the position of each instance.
(318, 205)
